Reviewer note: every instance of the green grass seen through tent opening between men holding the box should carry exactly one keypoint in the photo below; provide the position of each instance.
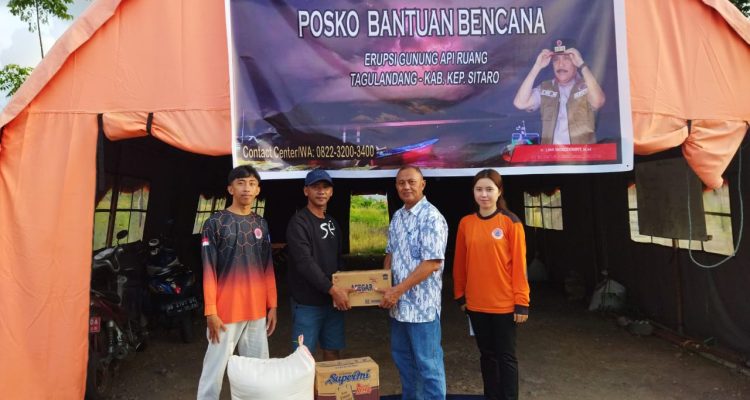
(368, 224)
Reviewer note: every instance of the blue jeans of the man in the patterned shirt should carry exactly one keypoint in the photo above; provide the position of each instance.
(417, 353)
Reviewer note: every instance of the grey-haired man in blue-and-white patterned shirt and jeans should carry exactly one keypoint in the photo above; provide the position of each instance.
(417, 237)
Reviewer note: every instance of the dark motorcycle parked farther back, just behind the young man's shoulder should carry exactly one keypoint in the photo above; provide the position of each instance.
(172, 288)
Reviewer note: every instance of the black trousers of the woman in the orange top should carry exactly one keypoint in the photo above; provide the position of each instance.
(496, 339)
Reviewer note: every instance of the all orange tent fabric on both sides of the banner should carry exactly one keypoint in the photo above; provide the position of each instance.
(129, 59)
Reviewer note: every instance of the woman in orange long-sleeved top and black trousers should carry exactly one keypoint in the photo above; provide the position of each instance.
(490, 284)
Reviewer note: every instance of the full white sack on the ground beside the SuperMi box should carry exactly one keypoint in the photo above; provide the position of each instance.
(290, 378)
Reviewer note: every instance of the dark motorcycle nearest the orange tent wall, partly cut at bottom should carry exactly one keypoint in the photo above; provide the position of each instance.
(117, 327)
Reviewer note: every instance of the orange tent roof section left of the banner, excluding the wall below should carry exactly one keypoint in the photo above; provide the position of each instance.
(181, 76)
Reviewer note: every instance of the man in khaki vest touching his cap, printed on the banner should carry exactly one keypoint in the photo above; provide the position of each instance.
(568, 103)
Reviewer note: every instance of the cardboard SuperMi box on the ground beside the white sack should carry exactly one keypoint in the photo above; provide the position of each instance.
(350, 379)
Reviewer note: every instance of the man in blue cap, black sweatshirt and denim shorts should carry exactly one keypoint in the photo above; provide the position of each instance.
(314, 243)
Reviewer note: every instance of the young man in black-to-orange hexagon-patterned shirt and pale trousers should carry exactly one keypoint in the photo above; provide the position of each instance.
(238, 282)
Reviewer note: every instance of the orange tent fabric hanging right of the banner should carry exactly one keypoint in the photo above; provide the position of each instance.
(681, 71)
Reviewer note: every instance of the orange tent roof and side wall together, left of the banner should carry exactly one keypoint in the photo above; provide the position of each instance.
(124, 60)
